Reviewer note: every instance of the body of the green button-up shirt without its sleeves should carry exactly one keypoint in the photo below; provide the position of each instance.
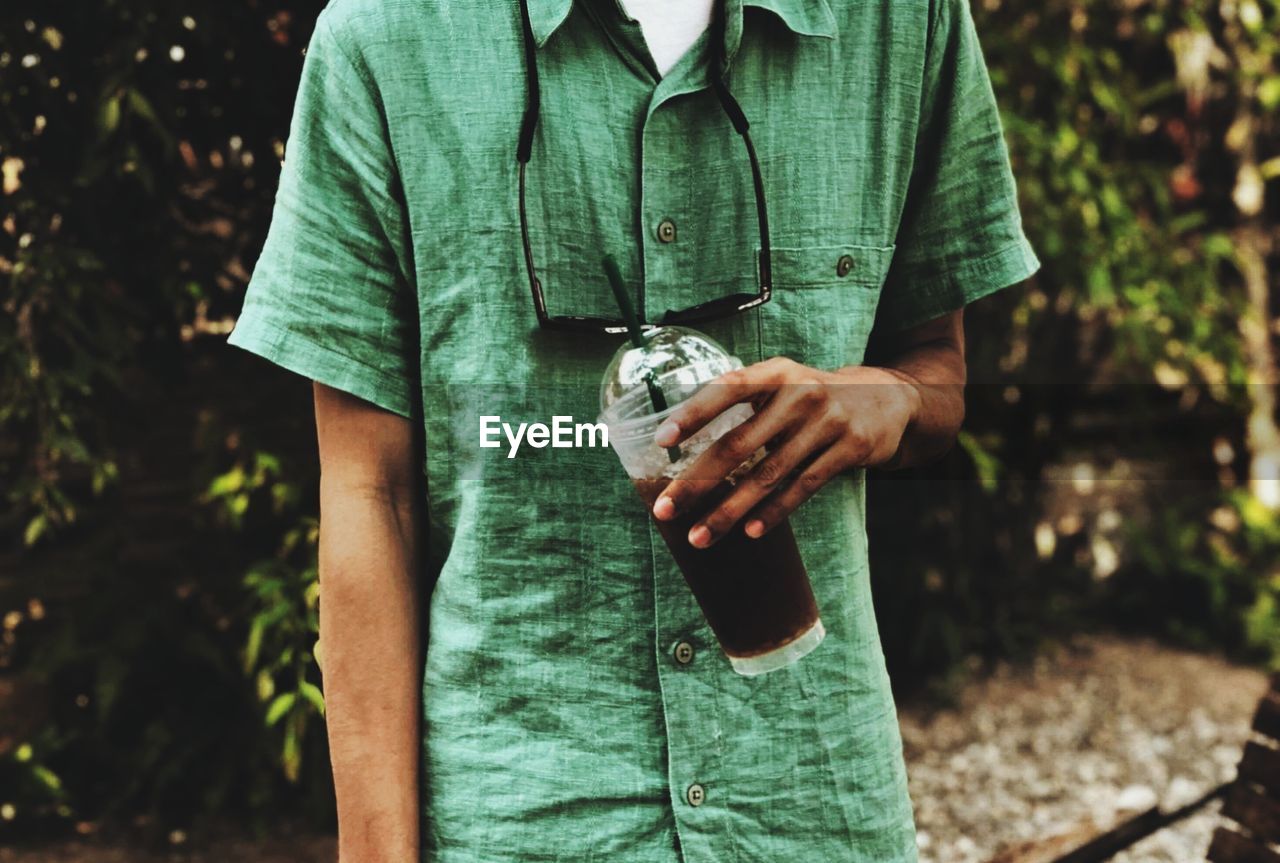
(557, 725)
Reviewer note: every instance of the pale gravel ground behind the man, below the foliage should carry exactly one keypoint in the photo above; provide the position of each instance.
(1081, 736)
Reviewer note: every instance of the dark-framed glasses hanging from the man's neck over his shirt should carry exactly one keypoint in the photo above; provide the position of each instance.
(711, 311)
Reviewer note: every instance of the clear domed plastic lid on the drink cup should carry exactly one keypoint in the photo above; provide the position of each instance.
(678, 359)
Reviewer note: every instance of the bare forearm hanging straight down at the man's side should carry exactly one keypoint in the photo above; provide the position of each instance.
(369, 625)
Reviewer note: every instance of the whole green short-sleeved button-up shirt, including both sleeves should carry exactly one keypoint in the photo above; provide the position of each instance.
(559, 724)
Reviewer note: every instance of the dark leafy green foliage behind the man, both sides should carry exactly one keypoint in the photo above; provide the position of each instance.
(158, 490)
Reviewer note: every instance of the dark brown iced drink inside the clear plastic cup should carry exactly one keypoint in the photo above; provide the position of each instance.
(755, 593)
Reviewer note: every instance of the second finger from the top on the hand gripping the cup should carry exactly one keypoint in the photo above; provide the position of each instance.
(730, 451)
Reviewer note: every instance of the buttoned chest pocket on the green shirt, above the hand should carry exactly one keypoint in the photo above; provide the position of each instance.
(824, 303)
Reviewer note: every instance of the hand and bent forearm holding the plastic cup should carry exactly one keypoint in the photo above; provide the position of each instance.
(816, 426)
